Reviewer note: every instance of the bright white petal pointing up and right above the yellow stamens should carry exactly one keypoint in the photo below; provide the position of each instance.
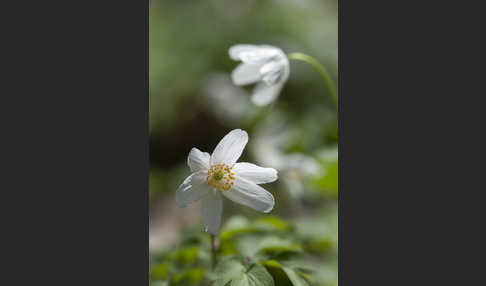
(229, 149)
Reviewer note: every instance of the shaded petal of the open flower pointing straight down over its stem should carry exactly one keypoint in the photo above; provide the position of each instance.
(211, 209)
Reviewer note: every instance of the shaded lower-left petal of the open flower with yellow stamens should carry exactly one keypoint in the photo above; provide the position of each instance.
(192, 189)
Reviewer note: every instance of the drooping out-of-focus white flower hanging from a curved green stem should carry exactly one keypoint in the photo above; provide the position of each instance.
(265, 65)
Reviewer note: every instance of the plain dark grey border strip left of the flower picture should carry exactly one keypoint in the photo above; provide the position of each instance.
(75, 143)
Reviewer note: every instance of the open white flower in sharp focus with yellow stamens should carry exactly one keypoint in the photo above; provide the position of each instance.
(217, 175)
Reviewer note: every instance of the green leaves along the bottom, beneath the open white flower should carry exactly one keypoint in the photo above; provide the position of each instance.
(265, 251)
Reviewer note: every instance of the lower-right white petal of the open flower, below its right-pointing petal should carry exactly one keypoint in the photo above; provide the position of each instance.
(251, 195)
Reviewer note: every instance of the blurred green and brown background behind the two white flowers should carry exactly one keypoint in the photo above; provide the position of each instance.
(194, 104)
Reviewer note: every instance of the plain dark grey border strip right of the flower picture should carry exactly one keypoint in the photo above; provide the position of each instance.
(407, 115)
